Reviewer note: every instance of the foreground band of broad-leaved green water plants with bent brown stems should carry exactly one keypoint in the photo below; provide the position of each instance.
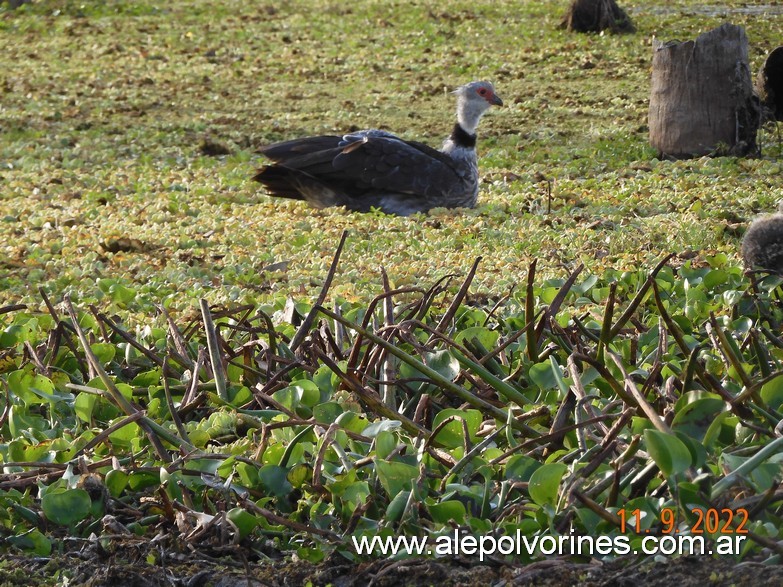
(655, 393)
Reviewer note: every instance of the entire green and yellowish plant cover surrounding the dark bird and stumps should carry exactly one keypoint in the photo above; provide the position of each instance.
(169, 372)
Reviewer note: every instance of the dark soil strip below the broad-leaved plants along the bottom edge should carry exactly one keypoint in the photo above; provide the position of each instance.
(203, 571)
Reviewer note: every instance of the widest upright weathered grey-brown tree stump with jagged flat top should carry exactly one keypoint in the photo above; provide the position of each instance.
(702, 99)
